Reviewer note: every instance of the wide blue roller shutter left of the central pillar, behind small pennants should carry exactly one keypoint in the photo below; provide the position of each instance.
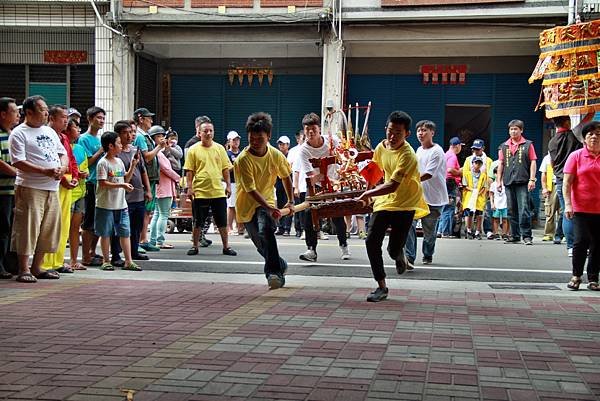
(229, 105)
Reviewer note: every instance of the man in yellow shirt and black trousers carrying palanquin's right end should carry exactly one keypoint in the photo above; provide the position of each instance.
(399, 200)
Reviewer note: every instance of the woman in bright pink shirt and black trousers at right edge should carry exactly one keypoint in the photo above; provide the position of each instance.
(580, 189)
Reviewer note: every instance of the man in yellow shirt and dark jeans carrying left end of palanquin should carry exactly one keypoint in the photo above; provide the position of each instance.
(256, 169)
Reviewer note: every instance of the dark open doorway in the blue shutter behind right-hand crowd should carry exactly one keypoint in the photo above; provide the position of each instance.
(468, 122)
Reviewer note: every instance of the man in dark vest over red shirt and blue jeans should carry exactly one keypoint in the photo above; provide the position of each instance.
(517, 172)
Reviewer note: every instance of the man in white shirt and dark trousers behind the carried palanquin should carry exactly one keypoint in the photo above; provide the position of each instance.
(315, 147)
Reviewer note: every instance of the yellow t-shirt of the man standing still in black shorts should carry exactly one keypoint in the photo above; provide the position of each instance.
(207, 165)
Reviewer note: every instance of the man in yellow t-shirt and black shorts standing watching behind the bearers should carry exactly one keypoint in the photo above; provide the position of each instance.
(206, 165)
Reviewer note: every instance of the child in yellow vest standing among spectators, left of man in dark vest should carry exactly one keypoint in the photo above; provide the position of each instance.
(475, 181)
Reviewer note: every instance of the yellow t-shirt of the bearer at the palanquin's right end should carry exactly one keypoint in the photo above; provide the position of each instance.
(401, 166)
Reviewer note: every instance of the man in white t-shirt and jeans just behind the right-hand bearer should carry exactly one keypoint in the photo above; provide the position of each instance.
(432, 167)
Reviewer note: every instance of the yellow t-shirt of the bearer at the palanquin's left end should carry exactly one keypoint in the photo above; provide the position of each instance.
(253, 173)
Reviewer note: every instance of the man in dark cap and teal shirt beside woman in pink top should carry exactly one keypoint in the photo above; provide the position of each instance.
(149, 149)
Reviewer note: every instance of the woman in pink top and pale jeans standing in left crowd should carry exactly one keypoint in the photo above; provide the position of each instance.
(165, 191)
